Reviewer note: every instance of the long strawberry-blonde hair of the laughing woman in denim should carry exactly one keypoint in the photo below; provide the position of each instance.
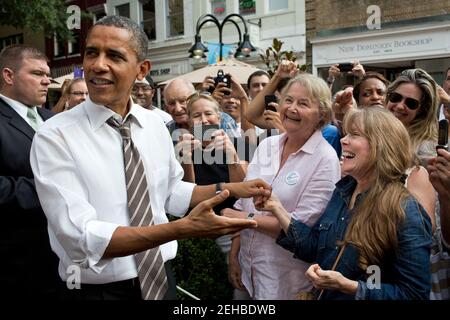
(373, 226)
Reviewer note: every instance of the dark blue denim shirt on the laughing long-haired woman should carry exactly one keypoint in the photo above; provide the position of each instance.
(405, 273)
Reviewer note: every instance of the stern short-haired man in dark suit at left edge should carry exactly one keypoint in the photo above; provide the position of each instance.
(29, 268)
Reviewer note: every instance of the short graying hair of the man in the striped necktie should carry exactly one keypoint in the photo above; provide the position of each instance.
(138, 37)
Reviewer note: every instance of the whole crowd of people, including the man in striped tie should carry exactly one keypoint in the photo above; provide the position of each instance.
(306, 193)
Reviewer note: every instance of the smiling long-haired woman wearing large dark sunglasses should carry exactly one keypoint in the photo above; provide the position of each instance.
(412, 98)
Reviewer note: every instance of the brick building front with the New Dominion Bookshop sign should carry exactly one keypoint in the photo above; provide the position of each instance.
(412, 34)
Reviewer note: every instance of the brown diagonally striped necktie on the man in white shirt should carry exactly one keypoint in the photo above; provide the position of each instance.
(151, 272)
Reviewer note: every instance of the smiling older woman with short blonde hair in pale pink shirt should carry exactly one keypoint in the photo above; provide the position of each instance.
(302, 168)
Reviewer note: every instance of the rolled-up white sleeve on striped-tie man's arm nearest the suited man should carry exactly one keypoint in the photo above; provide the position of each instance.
(72, 219)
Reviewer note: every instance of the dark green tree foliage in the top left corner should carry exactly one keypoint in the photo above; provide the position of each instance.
(49, 16)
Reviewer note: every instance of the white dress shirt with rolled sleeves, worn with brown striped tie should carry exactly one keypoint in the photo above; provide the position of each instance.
(77, 162)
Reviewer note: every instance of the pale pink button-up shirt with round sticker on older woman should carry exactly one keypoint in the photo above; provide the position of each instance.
(304, 186)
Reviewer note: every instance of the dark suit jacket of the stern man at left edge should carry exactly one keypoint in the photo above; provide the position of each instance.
(28, 267)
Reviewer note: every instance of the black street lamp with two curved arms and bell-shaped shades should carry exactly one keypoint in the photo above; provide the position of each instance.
(244, 47)
